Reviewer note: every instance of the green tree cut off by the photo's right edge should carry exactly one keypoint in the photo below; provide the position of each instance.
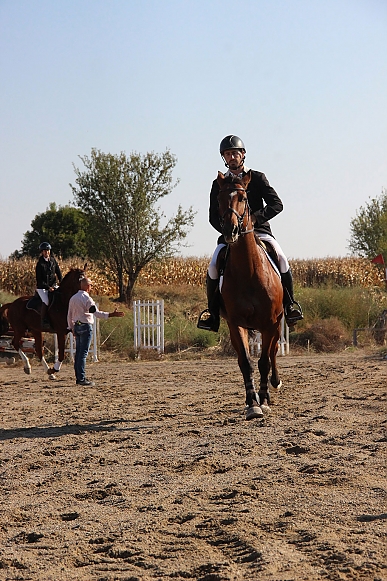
(369, 228)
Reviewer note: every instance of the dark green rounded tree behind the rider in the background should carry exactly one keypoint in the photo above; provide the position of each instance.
(64, 227)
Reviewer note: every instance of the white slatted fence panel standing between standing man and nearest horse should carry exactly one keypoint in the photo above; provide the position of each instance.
(148, 325)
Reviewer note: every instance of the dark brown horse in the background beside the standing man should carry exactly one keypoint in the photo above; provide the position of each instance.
(22, 318)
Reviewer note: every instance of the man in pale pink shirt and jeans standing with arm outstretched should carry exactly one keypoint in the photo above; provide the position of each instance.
(80, 320)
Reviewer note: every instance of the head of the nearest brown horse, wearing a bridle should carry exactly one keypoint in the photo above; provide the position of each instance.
(234, 208)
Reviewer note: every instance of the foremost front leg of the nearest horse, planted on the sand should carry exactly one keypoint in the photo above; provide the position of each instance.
(239, 340)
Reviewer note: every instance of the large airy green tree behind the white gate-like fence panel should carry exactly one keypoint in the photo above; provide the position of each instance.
(119, 195)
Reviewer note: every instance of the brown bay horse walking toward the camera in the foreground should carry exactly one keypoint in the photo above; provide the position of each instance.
(251, 293)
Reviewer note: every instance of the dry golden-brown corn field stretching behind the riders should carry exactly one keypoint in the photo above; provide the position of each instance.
(18, 276)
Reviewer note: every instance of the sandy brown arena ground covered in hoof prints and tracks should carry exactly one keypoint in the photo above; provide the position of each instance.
(154, 474)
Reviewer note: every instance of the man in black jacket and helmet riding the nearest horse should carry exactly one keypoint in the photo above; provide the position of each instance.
(264, 203)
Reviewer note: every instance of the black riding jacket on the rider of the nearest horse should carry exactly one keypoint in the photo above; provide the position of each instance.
(263, 200)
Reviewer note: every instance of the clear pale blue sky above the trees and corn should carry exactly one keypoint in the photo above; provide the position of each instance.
(302, 82)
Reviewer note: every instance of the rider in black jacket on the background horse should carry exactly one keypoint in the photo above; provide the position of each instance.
(47, 271)
